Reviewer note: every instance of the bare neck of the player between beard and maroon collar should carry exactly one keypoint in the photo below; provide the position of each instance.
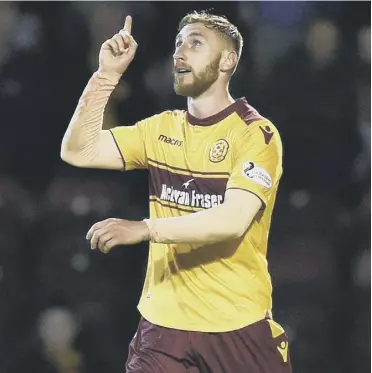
(209, 103)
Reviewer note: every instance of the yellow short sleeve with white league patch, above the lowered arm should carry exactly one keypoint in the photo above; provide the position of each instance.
(257, 166)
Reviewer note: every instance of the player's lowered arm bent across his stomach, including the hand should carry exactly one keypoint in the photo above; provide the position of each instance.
(229, 220)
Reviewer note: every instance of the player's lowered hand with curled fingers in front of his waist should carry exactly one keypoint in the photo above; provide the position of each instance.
(108, 233)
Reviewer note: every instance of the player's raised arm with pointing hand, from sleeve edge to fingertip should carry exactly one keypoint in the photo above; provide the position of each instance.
(85, 143)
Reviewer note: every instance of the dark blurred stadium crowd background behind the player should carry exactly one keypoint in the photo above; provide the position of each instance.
(305, 65)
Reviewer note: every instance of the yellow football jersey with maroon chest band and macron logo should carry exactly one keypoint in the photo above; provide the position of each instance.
(191, 163)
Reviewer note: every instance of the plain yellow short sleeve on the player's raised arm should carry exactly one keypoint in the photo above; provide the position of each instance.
(131, 142)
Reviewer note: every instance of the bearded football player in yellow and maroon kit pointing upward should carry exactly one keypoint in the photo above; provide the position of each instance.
(214, 173)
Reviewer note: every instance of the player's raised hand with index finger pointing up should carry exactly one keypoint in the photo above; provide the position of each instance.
(118, 52)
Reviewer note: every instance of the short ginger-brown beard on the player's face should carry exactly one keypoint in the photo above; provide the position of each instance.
(199, 82)
